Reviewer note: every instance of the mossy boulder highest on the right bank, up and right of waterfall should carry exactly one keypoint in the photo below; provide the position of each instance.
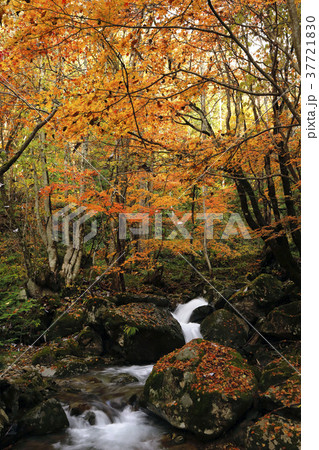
(258, 298)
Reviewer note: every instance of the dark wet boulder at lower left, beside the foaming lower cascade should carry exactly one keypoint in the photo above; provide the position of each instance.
(48, 417)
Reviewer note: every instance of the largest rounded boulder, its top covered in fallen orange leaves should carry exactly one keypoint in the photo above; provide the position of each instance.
(202, 387)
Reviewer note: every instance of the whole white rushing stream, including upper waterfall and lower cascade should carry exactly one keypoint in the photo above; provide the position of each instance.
(110, 420)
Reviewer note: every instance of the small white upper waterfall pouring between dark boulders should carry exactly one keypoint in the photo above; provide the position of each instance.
(183, 313)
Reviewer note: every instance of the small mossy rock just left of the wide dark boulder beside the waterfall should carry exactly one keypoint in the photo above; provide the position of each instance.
(69, 323)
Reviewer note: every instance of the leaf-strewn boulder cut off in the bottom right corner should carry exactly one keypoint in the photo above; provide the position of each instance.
(274, 433)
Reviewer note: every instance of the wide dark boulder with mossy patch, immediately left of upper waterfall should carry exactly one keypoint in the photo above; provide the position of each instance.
(139, 332)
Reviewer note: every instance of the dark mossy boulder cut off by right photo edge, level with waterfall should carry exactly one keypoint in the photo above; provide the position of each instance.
(283, 322)
